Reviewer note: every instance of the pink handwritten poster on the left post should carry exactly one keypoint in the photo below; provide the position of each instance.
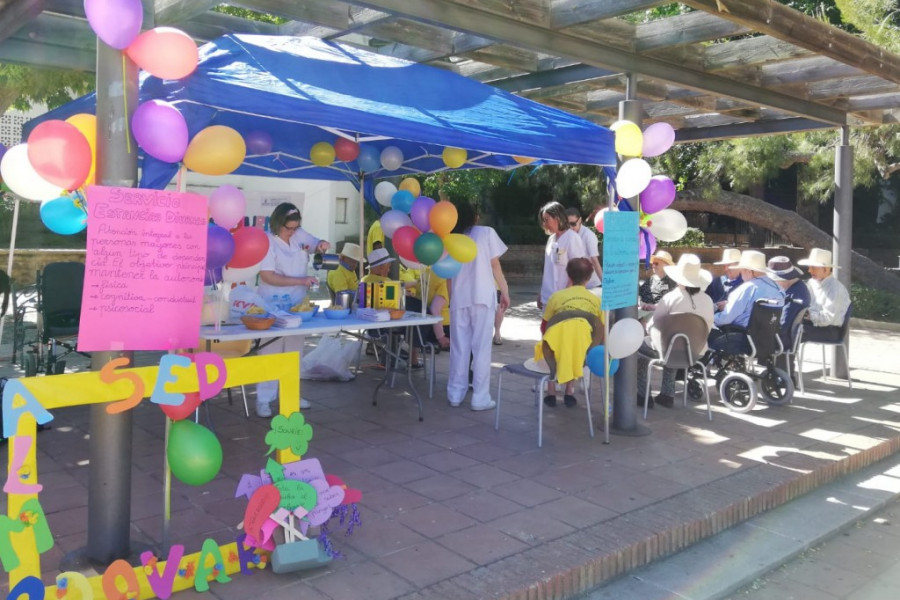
(143, 282)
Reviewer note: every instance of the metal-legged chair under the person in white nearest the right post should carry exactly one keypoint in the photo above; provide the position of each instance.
(680, 335)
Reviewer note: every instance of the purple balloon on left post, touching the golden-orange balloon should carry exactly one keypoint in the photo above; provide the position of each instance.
(160, 129)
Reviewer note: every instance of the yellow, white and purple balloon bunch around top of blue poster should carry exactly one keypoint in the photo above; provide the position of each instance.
(635, 178)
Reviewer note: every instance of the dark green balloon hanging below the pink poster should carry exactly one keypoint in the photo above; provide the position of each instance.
(194, 453)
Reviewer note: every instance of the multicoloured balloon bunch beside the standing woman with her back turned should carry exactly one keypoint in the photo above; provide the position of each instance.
(420, 229)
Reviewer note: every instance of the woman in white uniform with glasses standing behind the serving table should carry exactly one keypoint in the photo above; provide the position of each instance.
(284, 283)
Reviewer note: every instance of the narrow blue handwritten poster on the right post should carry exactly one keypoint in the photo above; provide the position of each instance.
(620, 260)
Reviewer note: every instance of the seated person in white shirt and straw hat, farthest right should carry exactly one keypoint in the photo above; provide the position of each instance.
(830, 300)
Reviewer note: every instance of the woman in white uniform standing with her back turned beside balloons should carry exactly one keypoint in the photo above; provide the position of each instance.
(473, 301)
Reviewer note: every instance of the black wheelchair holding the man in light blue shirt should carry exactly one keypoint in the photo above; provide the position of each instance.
(740, 376)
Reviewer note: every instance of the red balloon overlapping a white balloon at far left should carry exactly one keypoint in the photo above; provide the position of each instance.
(60, 153)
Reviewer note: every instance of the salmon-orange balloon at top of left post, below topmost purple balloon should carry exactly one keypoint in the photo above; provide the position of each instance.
(164, 52)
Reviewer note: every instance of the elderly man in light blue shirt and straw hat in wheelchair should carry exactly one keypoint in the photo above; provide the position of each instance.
(732, 320)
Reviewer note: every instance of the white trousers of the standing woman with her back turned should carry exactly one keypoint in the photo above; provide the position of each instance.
(471, 332)
